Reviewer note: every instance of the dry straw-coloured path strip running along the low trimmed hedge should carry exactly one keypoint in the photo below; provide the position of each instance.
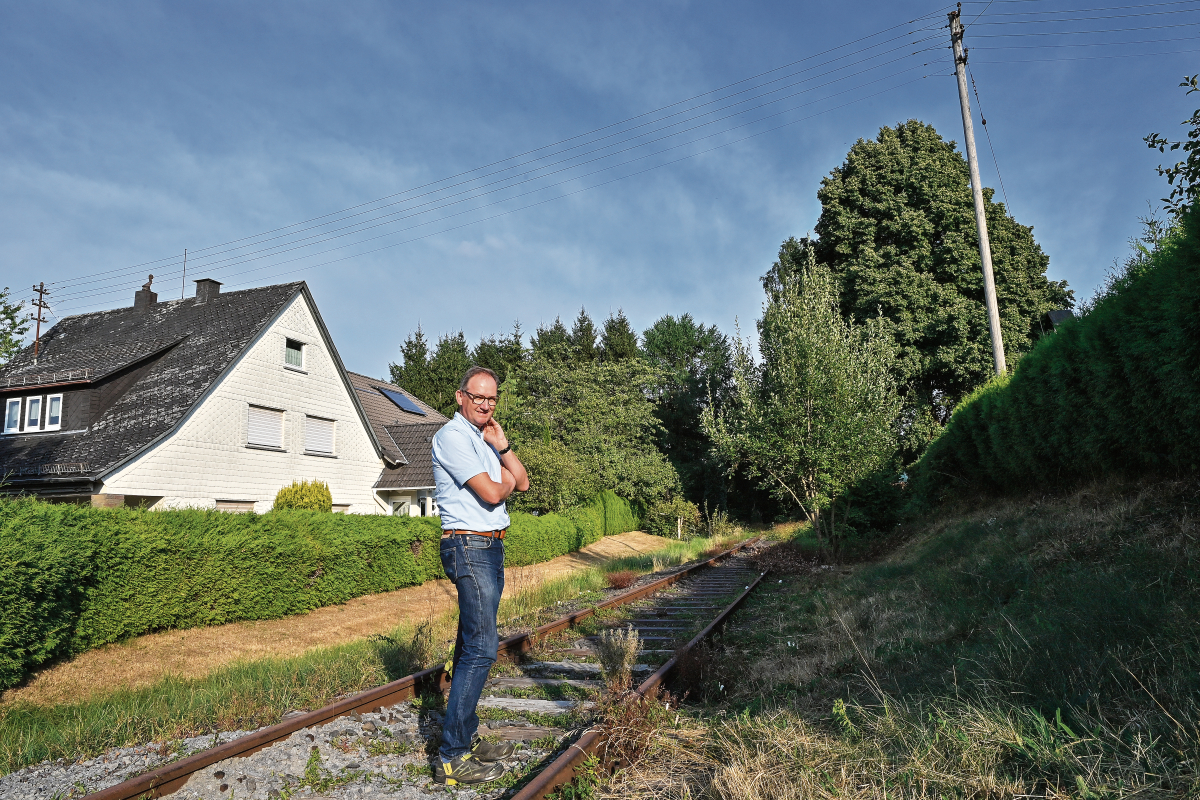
(194, 653)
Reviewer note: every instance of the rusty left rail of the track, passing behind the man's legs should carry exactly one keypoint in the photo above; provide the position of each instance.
(170, 778)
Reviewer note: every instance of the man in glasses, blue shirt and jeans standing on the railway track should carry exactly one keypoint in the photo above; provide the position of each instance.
(476, 471)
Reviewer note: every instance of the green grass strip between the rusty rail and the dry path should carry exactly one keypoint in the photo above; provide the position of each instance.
(256, 694)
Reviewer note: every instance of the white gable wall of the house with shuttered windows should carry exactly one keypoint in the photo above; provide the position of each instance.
(207, 459)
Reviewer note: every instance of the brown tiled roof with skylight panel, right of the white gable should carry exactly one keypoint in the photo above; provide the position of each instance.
(405, 437)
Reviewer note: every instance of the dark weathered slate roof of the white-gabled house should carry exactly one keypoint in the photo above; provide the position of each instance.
(188, 346)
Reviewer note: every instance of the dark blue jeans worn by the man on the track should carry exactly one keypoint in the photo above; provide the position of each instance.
(476, 567)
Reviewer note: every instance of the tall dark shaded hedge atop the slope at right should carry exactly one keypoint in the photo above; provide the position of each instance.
(1115, 393)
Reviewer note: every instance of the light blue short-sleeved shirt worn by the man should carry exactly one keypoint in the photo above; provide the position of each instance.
(460, 454)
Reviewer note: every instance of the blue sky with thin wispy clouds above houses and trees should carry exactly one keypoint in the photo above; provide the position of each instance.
(131, 131)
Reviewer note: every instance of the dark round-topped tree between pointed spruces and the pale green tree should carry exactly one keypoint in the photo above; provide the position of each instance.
(697, 369)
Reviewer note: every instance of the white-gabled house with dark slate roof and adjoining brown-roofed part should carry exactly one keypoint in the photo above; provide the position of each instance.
(215, 401)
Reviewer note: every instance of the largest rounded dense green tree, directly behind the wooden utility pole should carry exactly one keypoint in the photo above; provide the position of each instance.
(898, 231)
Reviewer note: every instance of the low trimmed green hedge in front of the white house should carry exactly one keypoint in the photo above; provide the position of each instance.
(74, 578)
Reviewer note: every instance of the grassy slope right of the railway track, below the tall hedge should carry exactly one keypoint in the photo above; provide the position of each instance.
(1025, 647)
